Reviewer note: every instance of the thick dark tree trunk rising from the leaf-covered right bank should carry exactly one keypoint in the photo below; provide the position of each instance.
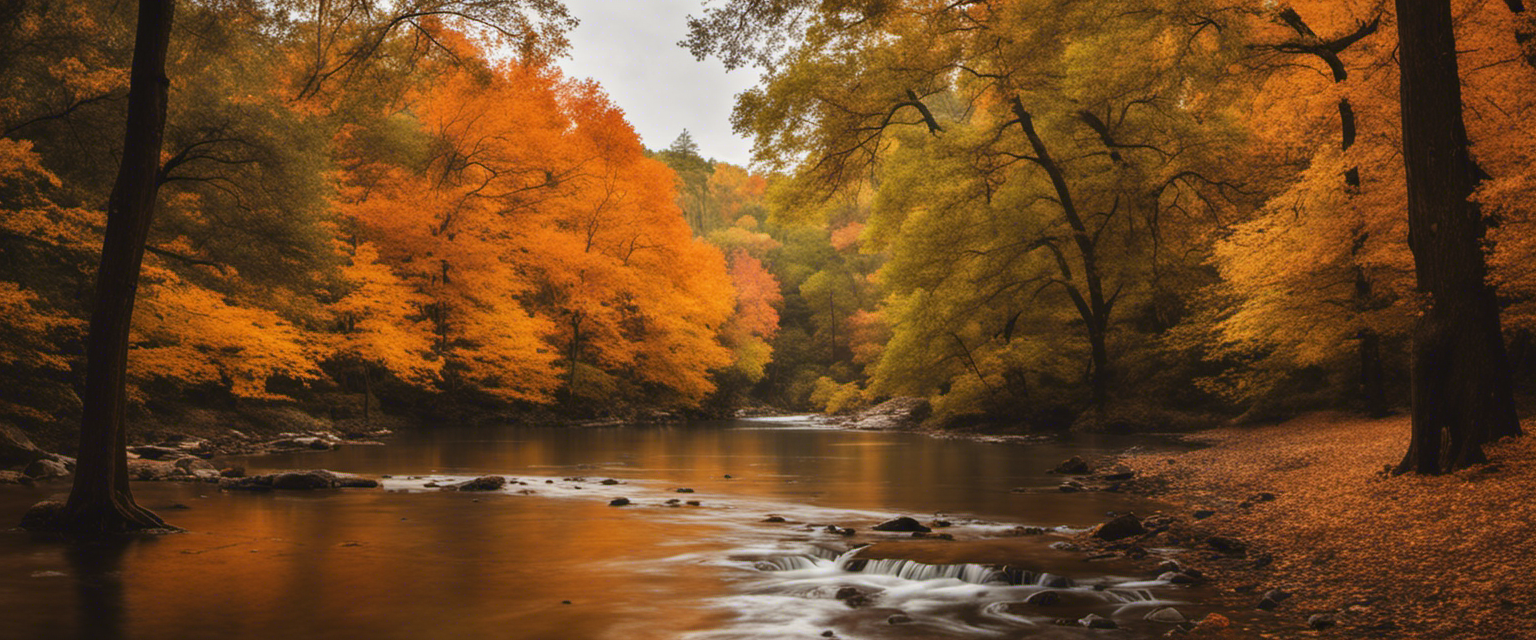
(1462, 377)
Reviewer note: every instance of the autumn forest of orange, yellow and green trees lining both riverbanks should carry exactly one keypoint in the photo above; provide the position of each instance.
(1010, 219)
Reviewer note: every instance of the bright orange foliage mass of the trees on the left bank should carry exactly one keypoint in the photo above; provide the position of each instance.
(538, 243)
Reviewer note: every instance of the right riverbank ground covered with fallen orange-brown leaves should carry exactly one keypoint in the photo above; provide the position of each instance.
(1388, 556)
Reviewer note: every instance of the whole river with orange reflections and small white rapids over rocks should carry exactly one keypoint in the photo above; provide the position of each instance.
(549, 559)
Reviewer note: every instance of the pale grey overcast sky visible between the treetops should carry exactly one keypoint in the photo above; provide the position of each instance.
(631, 47)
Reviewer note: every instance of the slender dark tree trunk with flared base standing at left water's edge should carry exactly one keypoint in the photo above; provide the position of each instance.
(101, 501)
